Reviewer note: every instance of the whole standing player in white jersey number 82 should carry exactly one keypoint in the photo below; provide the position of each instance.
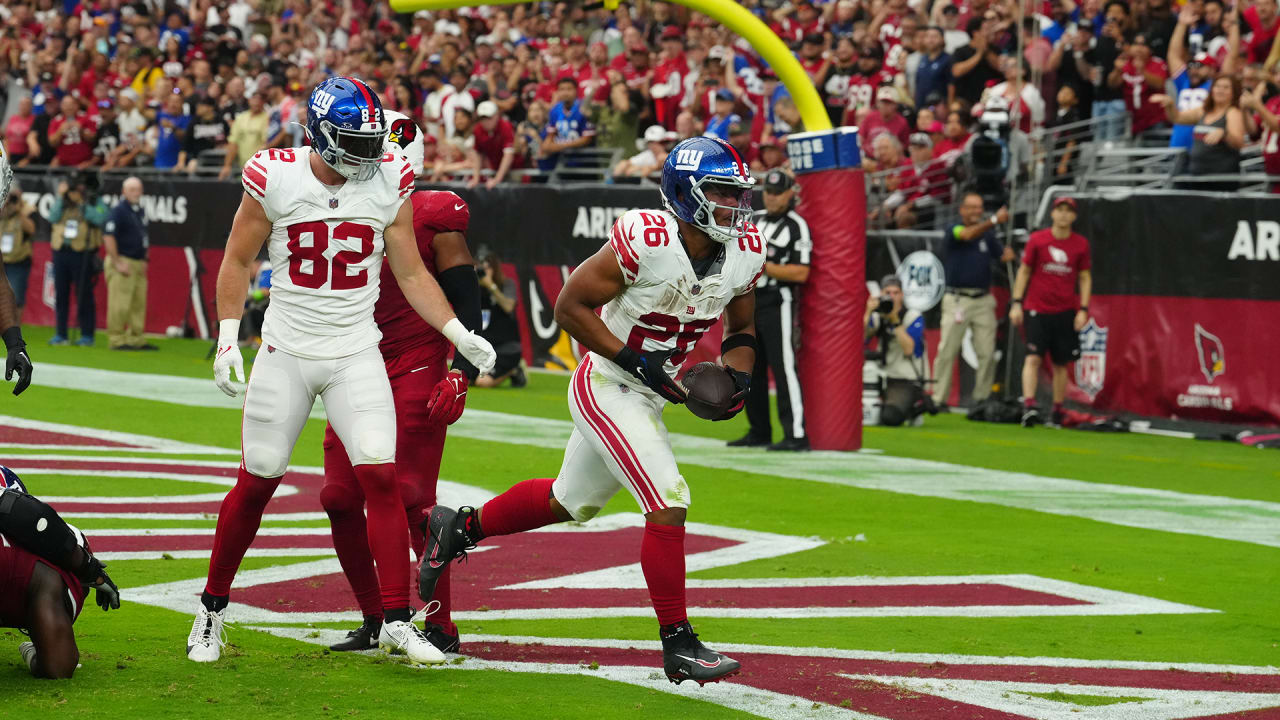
(327, 213)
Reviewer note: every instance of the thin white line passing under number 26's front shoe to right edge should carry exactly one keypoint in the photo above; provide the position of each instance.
(888, 657)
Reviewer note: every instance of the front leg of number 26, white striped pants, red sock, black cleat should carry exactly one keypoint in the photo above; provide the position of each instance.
(625, 429)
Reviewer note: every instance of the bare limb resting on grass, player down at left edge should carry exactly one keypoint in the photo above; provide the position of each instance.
(54, 654)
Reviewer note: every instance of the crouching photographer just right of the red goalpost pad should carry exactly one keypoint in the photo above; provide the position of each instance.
(902, 352)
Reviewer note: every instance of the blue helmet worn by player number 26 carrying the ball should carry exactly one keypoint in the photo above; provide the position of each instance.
(700, 165)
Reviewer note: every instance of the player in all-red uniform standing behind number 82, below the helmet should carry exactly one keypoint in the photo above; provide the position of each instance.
(428, 399)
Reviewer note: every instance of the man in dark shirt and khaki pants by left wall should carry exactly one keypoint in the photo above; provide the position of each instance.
(126, 270)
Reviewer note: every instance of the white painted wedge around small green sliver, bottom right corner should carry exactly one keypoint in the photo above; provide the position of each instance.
(1013, 699)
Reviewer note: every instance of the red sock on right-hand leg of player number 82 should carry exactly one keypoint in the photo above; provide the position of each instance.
(388, 532)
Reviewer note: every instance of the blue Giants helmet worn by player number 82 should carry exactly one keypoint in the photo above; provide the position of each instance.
(348, 127)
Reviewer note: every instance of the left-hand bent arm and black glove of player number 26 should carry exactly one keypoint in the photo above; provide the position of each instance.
(596, 282)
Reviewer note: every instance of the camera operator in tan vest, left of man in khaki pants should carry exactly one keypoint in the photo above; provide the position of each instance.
(77, 216)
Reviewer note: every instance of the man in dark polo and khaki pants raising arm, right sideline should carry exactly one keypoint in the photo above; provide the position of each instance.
(968, 303)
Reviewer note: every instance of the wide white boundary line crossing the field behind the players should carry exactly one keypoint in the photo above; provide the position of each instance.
(1226, 518)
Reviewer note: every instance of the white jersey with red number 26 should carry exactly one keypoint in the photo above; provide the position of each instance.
(665, 304)
